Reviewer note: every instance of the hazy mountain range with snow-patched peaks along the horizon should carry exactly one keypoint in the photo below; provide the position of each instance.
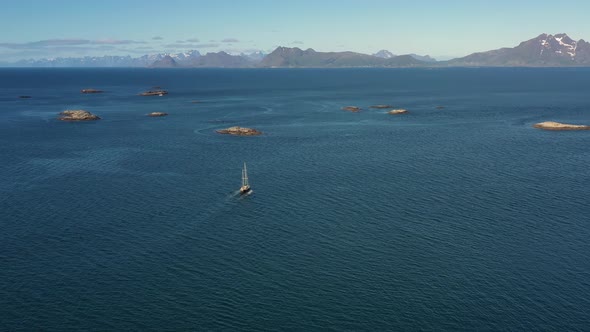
(543, 51)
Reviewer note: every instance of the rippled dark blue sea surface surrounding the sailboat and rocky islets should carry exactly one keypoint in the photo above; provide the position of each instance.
(461, 218)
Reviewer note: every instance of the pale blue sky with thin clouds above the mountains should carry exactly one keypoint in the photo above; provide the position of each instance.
(34, 29)
